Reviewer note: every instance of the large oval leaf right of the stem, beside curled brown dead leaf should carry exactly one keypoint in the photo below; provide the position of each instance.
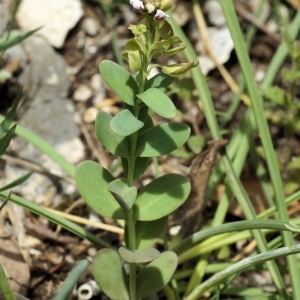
(161, 197)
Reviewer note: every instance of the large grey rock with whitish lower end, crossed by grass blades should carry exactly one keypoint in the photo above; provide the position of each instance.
(48, 113)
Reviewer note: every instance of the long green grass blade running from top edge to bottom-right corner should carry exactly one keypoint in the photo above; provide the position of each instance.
(257, 104)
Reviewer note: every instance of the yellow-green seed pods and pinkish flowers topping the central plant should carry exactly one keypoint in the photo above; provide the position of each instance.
(152, 39)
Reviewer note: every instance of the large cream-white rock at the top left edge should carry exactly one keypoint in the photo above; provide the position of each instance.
(56, 16)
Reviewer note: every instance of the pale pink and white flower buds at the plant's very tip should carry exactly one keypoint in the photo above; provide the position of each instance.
(156, 7)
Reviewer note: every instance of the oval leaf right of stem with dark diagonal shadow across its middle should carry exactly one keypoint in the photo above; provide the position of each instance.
(162, 139)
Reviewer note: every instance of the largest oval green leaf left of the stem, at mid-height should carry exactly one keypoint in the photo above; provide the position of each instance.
(91, 181)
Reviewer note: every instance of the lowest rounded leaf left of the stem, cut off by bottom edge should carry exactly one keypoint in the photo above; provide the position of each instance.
(109, 273)
